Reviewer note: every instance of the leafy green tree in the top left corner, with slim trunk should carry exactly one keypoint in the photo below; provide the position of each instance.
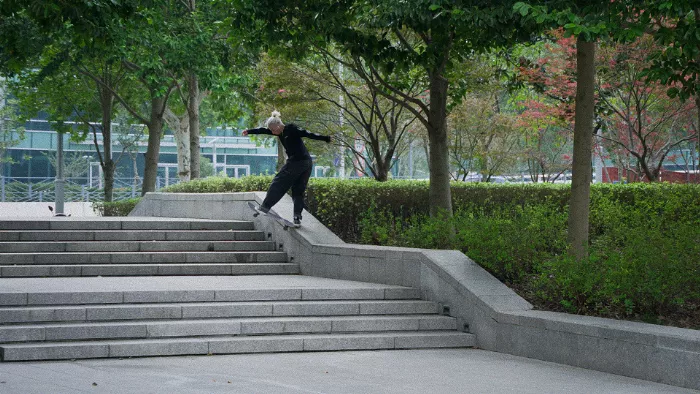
(43, 41)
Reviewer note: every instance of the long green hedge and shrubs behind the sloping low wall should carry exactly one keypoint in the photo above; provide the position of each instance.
(645, 238)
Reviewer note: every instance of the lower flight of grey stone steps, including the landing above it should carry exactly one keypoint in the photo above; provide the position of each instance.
(50, 319)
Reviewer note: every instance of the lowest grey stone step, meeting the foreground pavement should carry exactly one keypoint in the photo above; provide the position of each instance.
(233, 345)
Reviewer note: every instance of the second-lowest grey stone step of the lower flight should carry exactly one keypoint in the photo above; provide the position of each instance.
(235, 326)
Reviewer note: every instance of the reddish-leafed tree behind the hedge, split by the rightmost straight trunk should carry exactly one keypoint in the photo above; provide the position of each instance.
(640, 125)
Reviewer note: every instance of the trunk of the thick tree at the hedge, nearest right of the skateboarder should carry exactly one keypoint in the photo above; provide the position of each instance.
(439, 162)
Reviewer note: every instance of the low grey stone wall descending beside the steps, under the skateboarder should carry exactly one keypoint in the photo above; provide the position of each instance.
(501, 320)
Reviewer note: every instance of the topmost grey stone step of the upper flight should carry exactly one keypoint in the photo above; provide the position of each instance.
(124, 224)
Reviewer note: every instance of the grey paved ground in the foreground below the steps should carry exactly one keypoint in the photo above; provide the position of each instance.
(411, 371)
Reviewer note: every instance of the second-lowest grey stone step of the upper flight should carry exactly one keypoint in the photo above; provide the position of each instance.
(84, 258)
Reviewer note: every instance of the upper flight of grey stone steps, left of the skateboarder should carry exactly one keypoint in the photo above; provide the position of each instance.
(131, 247)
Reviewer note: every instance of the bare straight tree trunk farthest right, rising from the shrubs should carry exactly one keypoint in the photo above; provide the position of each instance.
(583, 144)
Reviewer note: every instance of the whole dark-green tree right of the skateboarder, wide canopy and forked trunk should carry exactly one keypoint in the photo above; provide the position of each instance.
(400, 37)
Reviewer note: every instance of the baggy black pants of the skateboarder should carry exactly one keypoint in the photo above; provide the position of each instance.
(294, 175)
